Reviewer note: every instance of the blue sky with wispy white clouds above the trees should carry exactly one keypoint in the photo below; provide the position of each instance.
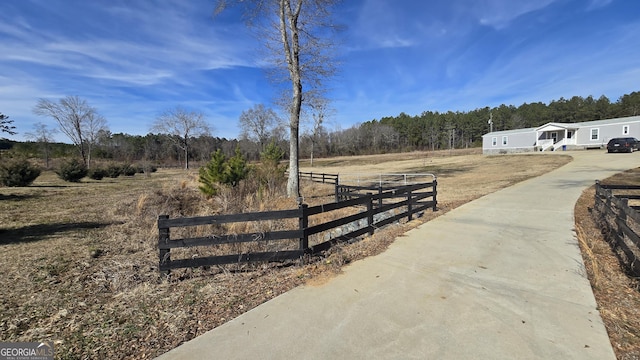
(133, 59)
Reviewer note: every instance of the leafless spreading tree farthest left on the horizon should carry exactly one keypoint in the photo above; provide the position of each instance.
(73, 116)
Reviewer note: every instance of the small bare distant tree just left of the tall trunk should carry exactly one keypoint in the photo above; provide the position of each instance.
(258, 124)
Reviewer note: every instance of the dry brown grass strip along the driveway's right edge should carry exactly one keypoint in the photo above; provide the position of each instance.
(616, 293)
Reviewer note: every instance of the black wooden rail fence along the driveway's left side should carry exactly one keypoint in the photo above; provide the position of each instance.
(369, 212)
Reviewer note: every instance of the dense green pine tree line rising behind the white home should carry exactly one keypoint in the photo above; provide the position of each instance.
(436, 131)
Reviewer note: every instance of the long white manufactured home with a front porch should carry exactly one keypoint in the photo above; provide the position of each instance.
(561, 136)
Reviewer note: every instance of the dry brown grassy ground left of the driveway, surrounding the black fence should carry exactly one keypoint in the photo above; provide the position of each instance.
(80, 260)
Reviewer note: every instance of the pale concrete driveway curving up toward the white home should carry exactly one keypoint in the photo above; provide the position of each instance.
(501, 277)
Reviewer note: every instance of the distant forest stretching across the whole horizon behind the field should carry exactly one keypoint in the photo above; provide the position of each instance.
(427, 131)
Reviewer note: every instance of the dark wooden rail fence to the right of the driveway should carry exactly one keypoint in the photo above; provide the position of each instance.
(620, 222)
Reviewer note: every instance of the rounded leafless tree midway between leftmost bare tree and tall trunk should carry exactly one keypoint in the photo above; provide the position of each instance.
(182, 125)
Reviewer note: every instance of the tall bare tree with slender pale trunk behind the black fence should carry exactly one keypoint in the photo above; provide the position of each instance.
(295, 36)
